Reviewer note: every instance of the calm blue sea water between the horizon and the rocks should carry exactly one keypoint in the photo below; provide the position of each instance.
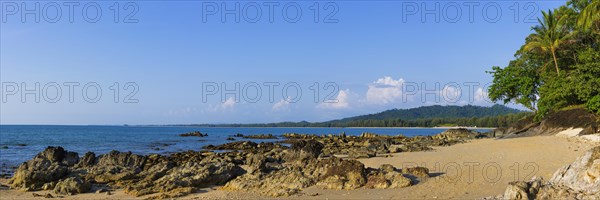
(20, 143)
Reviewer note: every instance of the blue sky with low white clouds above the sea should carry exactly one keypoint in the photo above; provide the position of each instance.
(370, 58)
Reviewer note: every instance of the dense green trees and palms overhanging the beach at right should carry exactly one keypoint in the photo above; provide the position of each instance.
(559, 64)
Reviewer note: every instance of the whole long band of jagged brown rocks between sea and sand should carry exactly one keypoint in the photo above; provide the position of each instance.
(268, 168)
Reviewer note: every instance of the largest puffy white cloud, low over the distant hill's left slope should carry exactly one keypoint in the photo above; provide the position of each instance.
(385, 90)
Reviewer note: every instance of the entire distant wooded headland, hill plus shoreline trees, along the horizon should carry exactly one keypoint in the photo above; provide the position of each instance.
(426, 116)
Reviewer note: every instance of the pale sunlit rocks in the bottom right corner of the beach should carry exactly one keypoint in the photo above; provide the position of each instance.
(579, 180)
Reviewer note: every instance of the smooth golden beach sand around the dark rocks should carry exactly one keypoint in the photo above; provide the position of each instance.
(477, 169)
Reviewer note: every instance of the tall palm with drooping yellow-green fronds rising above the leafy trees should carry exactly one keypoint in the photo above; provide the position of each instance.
(549, 35)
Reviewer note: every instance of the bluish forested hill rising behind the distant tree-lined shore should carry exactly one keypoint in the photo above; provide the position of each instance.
(436, 111)
